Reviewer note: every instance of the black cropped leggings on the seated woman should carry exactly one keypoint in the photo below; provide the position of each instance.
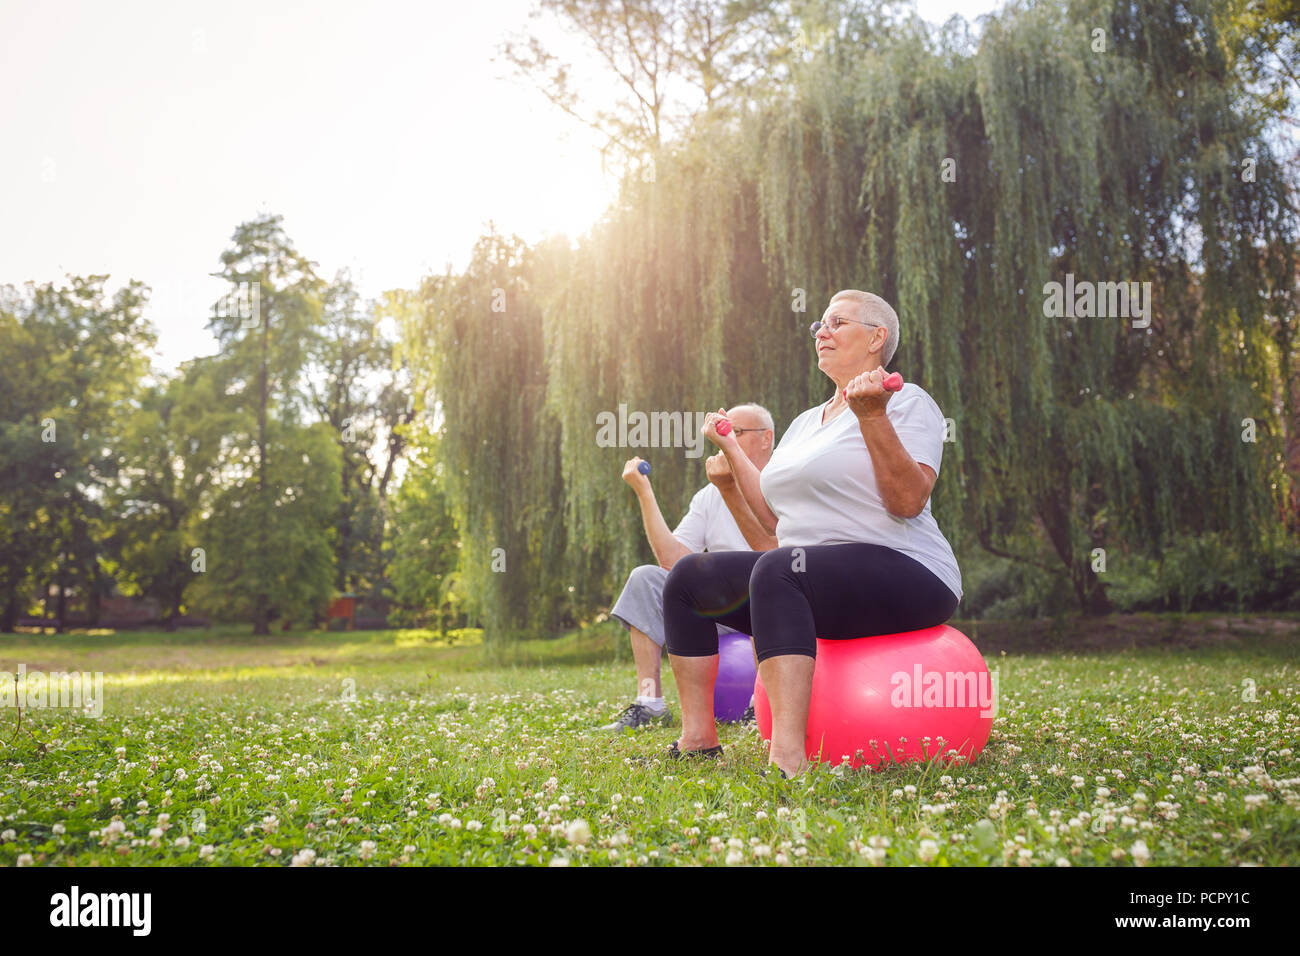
(788, 598)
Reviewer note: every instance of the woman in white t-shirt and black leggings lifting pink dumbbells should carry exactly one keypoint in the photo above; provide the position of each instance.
(847, 495)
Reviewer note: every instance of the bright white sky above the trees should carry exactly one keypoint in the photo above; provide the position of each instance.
(141, 133)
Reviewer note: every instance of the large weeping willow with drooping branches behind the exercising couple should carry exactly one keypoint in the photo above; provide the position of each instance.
(959, 176)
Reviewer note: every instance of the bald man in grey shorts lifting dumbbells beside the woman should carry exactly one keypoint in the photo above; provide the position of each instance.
(710, 525)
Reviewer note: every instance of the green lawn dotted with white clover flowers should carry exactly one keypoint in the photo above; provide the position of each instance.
(389, 749)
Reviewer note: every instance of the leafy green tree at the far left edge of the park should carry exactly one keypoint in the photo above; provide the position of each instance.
(73, 360)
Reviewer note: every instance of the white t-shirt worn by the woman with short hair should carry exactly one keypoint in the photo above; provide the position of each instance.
(822, 488)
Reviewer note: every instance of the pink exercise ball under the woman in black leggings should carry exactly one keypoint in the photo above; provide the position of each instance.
(876, 699)
